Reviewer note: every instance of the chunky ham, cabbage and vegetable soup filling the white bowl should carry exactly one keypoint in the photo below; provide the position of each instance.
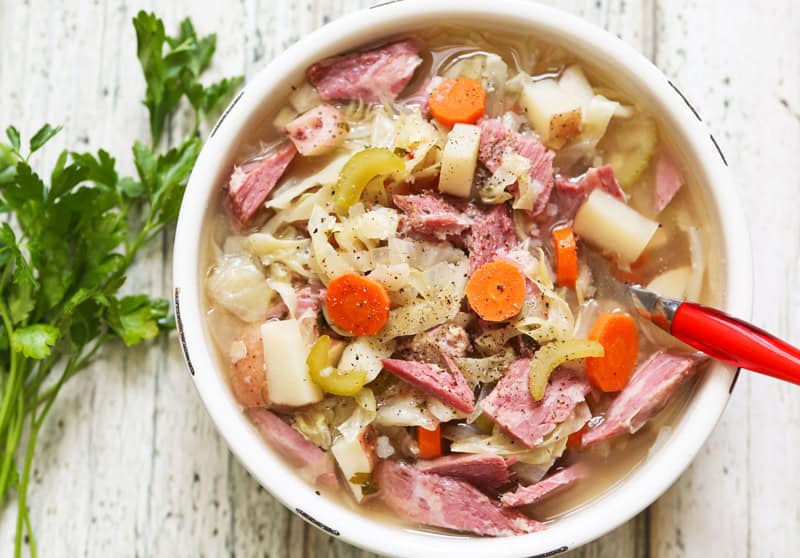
(416, 281)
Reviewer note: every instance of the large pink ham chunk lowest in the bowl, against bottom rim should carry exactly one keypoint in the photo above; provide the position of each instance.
(447, 502)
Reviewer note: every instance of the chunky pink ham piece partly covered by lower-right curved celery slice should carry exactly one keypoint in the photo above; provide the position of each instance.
(513, 408)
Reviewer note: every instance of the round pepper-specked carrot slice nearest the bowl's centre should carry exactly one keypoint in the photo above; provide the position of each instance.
(496, 291)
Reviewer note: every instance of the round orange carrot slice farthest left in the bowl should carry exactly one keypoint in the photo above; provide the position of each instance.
(357, 304)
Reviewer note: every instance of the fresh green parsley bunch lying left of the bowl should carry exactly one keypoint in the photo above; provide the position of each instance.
(70, 238)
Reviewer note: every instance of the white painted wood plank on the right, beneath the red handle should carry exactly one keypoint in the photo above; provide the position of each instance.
(738, 497)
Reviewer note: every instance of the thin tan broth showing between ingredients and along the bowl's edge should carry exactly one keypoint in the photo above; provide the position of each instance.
(443, 47)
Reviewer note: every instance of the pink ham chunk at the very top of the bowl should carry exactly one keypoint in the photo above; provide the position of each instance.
(372, 76)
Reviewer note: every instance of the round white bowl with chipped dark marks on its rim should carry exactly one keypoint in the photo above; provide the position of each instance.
(247, 113)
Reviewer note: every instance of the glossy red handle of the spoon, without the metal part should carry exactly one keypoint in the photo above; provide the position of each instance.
(731, 340)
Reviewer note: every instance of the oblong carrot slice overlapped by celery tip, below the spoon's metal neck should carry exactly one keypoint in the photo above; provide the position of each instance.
(616, 332)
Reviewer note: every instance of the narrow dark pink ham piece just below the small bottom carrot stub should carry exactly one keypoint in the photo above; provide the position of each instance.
(484, 470)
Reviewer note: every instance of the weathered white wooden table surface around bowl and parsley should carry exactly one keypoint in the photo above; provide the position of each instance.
(130, 464)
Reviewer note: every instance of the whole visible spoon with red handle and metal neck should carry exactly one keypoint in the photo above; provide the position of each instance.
(719, 335)
